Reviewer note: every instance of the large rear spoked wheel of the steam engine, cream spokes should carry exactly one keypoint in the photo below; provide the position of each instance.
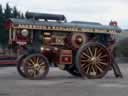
(93, 60)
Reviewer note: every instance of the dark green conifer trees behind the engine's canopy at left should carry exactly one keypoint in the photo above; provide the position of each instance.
(5, 14)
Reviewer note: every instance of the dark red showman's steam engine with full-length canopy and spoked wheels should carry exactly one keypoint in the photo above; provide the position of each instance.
(84, 49)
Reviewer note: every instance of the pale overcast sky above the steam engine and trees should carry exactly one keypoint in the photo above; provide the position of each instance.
(101, 11)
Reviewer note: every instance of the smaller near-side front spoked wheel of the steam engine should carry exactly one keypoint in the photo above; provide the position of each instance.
(36, 66)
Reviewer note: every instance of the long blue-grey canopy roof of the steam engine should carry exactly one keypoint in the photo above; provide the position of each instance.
(73, 24)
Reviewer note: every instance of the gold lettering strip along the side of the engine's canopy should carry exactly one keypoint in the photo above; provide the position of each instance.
(60, 28)
